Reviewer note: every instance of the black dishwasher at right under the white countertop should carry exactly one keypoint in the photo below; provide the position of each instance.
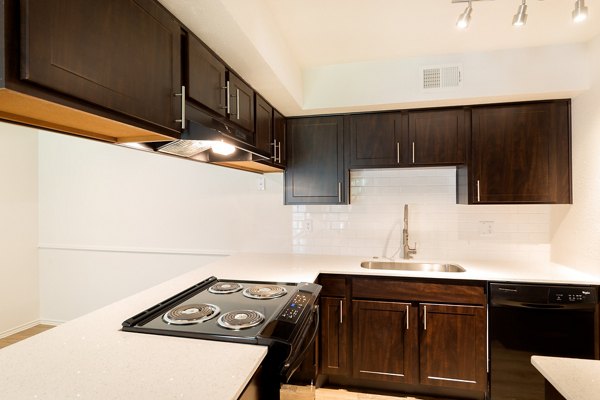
(530, 319)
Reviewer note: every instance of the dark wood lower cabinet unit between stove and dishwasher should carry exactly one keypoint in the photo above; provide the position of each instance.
(406, 336)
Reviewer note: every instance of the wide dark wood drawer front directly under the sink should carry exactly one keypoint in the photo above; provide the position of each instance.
(396, 289)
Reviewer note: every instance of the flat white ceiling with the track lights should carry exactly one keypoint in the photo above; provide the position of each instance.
(321, 32)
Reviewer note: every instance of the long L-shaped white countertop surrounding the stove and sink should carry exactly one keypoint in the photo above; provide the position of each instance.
(90, 358)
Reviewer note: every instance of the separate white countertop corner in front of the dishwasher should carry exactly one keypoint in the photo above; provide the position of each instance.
(575, 379)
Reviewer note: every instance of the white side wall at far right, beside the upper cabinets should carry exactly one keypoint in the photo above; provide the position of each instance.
(577, 241)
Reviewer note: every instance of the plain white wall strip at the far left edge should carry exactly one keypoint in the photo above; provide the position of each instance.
(19, 299)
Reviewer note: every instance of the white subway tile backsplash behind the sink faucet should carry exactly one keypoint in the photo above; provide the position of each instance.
(372, 224)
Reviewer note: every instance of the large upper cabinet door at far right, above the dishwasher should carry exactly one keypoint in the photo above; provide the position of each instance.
(521, 153)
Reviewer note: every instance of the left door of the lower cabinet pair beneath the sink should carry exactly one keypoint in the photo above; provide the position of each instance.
(384, 341)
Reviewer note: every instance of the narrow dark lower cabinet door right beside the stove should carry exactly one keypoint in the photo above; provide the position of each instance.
(335, 334)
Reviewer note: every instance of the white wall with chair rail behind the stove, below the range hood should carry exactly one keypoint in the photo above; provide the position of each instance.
(115, 220)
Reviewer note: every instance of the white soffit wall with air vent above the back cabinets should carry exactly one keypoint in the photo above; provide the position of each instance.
(494, 76)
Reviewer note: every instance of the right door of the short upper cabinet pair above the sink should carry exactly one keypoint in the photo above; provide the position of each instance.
(437, 137)
